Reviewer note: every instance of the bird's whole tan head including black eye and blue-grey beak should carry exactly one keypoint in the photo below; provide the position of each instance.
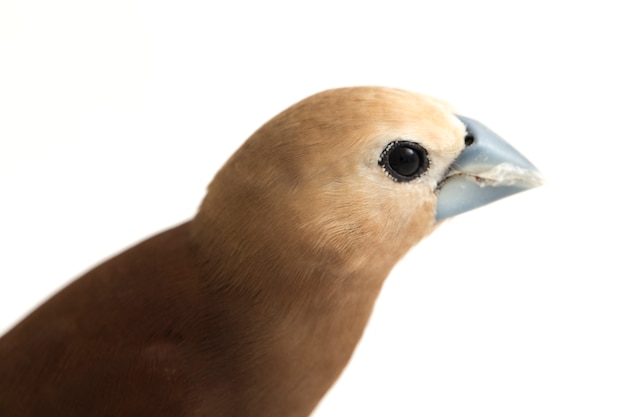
(357, 173)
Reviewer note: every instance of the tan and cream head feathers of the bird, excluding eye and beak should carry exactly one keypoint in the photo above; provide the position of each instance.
(310, 177)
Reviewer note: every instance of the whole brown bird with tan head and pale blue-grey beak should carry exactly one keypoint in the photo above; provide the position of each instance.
(255, 305)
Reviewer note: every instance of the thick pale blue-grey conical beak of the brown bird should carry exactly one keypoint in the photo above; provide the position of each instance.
(487, 170)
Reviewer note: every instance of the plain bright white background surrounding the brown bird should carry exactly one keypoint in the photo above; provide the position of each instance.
(114, 115)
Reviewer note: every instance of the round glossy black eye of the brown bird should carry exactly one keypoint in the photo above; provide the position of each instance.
(403, 160)
